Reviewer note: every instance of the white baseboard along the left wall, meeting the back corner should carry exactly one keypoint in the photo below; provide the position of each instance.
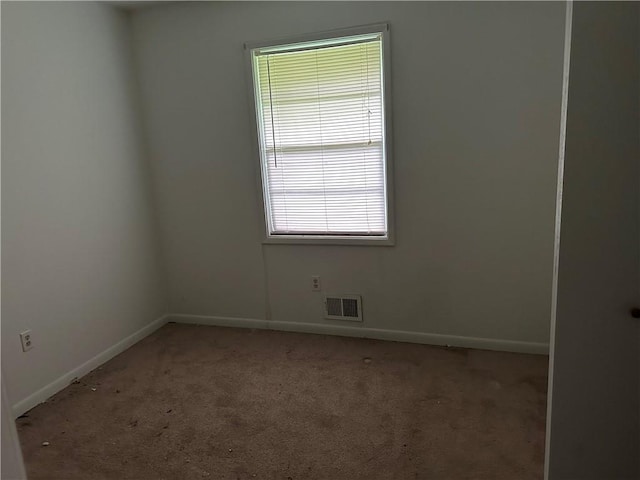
(54, 387)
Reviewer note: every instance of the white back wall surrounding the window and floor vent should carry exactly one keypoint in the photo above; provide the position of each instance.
(476, 110)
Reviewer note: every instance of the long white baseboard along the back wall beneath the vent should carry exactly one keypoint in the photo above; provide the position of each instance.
(365, 332)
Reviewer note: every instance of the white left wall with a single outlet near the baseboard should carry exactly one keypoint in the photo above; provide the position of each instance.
(80, 258)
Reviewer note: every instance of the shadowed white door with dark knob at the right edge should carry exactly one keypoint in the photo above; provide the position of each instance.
(594, 425)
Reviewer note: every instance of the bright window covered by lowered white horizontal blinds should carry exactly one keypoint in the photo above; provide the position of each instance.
(322, 133)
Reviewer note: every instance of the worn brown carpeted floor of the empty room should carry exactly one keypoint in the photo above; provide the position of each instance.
(224, 403)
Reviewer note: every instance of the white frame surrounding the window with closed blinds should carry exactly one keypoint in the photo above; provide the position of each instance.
(326, 239)
